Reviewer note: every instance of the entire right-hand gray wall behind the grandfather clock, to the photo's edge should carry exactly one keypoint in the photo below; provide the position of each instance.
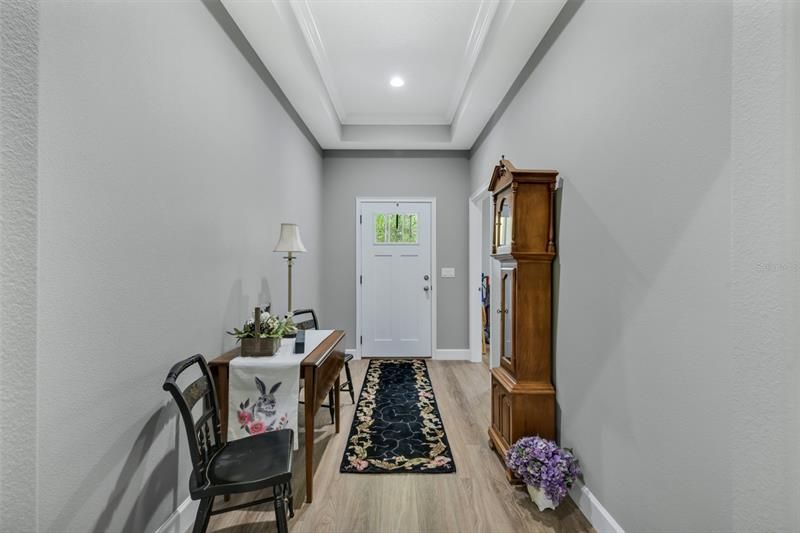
(673, 361)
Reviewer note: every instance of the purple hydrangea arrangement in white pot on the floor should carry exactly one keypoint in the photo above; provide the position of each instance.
(542, 464)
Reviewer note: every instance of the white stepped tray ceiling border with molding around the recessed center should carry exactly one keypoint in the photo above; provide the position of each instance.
(289, 44)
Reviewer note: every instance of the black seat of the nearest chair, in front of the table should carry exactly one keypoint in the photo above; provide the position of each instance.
(253, 462)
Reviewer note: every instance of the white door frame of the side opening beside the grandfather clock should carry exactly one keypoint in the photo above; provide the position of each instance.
(477, 248)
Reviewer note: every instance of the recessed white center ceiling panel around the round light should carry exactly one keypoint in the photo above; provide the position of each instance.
(396, 38)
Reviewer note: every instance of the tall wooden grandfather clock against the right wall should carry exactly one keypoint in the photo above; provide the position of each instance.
(523, 396)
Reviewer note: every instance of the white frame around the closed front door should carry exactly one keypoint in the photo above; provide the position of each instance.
(434, 288)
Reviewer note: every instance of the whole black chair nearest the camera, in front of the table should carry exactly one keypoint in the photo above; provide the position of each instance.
(220, 469)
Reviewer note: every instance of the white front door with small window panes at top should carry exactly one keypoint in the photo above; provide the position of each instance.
(396, 278)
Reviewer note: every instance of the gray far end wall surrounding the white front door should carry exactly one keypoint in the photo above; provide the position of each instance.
(444, 177)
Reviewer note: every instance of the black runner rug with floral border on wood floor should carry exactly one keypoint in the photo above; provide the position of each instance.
(397, 427)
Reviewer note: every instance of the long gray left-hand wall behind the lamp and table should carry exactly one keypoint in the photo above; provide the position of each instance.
(166, 165)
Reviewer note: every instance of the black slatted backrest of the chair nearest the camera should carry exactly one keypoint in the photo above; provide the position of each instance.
(204, 433)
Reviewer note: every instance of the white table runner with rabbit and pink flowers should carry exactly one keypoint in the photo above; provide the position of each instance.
(263, 392)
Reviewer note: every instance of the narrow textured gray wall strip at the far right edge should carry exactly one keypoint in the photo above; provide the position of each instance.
(764, 300)
